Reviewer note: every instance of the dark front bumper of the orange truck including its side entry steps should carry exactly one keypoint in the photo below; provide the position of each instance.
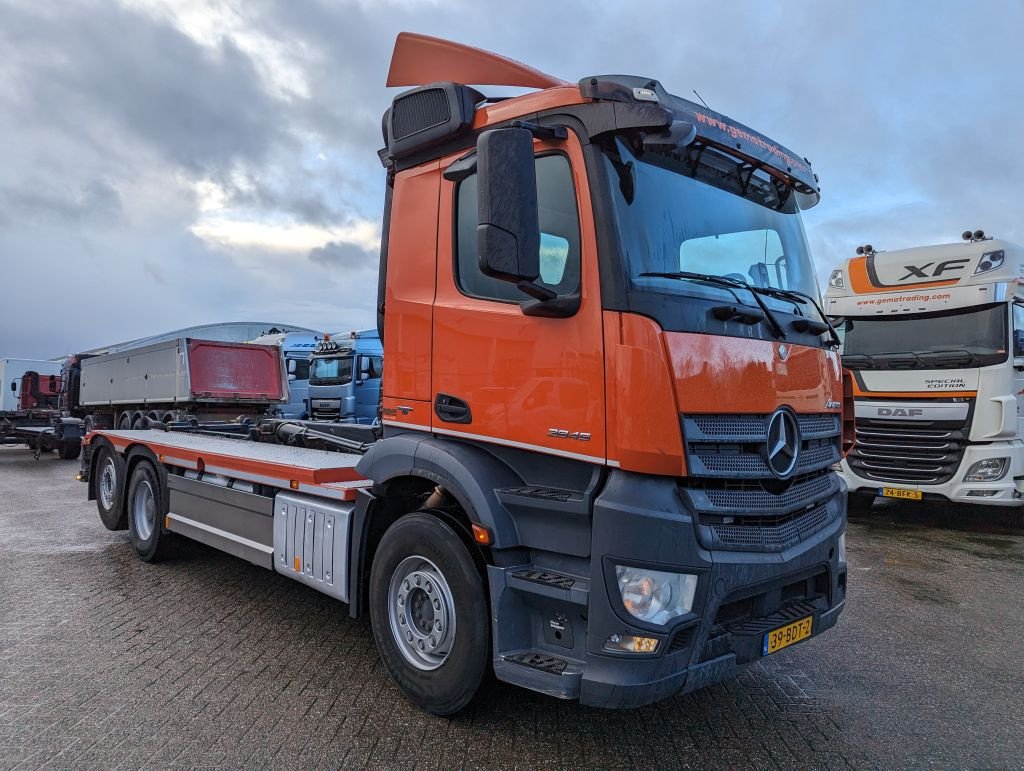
(643, 521)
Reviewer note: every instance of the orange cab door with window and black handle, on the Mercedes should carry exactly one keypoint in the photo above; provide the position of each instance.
(501, 376)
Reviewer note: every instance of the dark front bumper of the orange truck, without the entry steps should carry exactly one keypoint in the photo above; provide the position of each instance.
(741, 595)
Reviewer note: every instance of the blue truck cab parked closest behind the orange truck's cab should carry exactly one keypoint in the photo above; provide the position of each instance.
(346, 378)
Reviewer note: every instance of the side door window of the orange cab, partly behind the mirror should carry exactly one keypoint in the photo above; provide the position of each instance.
(560, 236)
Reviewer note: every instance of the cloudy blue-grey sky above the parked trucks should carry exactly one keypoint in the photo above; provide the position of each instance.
(165, 163)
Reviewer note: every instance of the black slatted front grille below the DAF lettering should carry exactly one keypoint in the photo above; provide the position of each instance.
(906, 453)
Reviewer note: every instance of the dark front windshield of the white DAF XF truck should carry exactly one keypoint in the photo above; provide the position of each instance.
(949, 339)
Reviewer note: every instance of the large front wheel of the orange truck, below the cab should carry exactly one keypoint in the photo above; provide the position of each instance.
(453, 617)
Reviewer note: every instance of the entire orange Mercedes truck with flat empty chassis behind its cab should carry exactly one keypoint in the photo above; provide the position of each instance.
(611, 410)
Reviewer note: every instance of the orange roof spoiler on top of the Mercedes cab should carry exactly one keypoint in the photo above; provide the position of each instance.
(419, 60)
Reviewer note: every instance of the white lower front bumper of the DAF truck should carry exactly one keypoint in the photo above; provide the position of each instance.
(1007, 492)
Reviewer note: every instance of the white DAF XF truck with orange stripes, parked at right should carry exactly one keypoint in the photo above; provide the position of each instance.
(934, 337)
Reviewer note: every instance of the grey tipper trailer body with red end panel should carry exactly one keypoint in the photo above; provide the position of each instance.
(175, 381)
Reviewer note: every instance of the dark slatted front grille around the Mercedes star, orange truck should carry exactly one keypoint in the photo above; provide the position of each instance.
(739, 503)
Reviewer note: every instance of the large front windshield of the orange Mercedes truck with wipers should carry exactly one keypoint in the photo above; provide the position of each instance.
(711, 217)
